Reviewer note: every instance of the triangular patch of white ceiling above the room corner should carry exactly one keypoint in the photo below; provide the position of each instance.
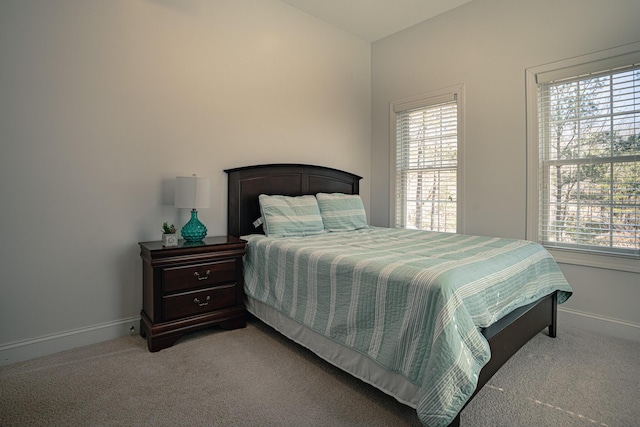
(372, 20)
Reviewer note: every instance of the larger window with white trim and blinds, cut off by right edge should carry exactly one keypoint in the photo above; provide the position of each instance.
(586, 150)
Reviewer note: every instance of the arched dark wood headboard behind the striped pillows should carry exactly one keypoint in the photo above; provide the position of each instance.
(247, 183)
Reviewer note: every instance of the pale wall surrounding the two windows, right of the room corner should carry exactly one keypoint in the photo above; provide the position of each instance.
(487, 45)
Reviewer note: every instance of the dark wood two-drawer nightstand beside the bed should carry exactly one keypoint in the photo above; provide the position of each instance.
(190, 286)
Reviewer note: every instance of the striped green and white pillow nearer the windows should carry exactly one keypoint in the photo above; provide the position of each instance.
(342, 212)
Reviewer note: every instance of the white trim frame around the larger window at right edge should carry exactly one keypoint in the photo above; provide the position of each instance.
(569, 68)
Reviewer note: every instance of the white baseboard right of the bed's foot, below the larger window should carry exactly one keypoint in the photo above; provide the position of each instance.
(599, 324)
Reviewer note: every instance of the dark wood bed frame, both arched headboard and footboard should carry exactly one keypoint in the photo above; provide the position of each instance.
(245, 184)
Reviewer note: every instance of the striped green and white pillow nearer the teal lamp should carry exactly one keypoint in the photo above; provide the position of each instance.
(285, 216)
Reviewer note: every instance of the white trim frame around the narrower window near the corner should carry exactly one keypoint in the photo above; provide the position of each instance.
(425, 100)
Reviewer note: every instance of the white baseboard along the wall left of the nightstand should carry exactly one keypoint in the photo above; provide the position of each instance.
(49, 344)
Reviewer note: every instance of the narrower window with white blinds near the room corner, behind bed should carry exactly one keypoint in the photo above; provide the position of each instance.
(427, 139)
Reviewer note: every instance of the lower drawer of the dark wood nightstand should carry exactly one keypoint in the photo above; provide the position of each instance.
(192, 303)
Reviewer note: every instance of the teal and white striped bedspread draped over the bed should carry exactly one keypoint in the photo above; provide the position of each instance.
(413, 301)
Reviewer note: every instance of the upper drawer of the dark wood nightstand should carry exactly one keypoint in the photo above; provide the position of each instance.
(199, 275)
